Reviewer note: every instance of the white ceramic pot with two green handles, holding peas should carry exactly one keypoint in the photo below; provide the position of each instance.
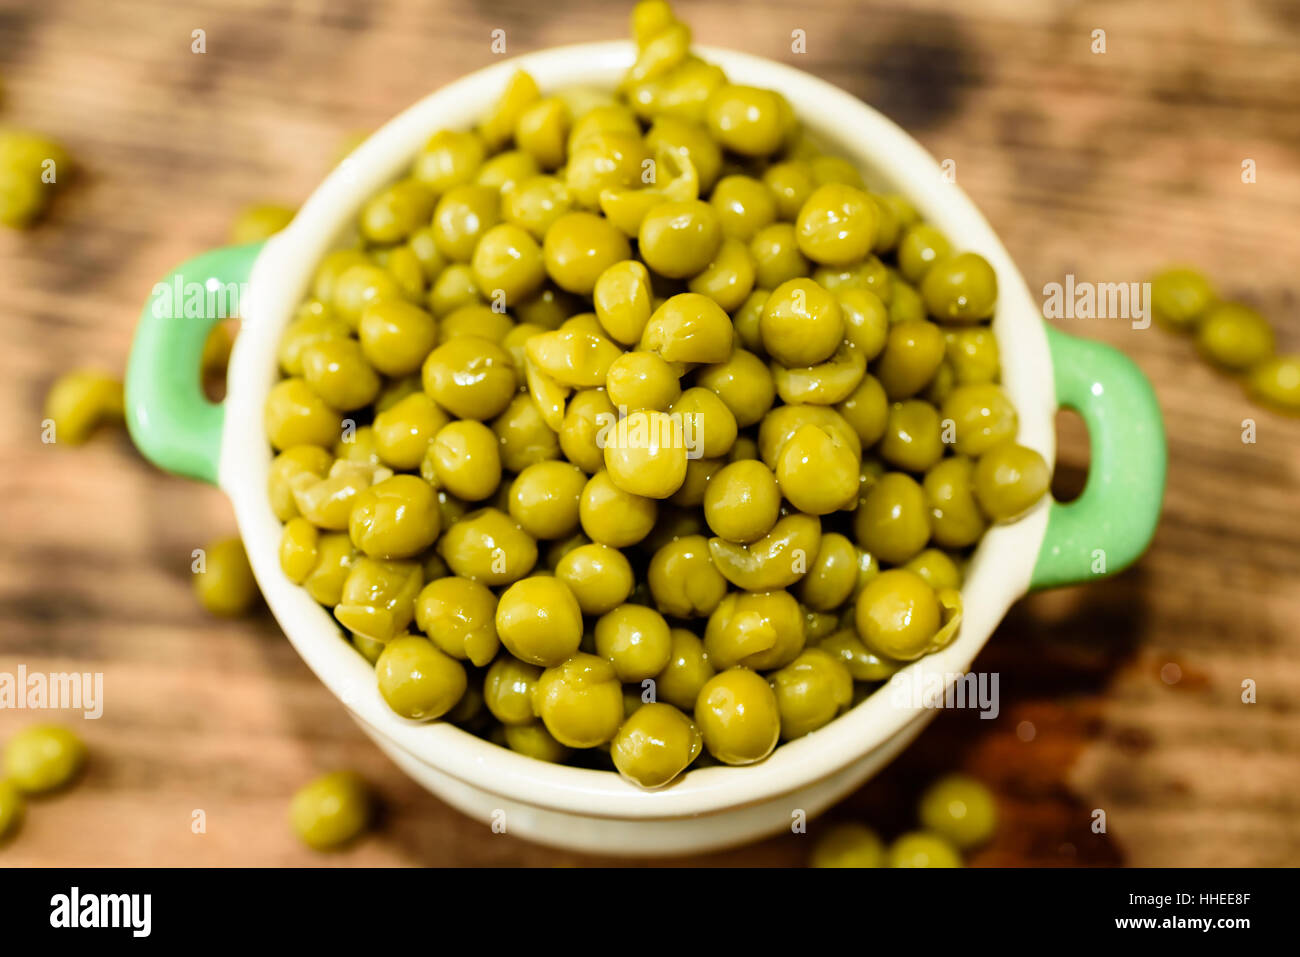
(714, 807)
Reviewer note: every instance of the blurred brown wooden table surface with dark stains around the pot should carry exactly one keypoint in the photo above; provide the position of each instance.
(1104, 166)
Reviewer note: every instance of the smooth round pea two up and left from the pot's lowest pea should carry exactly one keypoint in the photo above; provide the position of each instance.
(539, 621)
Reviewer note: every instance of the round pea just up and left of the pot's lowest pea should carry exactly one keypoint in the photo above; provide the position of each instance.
(580, 701)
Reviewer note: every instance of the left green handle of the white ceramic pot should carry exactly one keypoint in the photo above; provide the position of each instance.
(171, 421)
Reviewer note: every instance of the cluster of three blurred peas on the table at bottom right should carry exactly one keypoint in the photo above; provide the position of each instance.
(957, 815)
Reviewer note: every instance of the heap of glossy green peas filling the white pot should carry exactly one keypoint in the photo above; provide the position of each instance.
(675, 257)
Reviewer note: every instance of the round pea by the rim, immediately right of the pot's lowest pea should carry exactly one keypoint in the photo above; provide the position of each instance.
(739, 717)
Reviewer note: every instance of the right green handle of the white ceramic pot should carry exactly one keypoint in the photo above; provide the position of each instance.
(1110, 526)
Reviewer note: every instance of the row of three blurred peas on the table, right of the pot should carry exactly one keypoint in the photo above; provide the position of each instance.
(1232, 336)
